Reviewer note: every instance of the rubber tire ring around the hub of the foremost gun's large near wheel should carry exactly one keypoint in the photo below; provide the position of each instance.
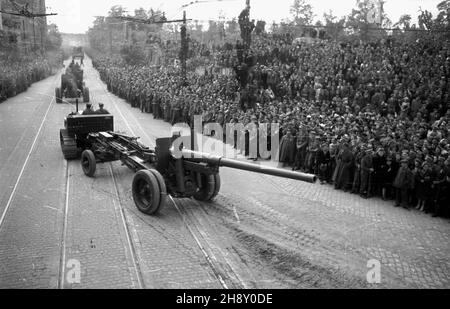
(153, 205)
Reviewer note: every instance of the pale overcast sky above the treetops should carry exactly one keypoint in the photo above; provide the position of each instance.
(76, 16)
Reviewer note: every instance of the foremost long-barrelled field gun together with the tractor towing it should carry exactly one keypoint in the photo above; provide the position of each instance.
(158, 171)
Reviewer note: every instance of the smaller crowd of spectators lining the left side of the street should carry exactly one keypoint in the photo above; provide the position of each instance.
(17, 75)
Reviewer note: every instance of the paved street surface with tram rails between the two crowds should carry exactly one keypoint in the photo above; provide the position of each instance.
(261, 231)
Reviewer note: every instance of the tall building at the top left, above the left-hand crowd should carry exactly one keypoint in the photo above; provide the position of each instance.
(30, 32)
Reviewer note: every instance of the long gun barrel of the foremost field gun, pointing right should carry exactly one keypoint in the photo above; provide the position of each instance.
(194, 156)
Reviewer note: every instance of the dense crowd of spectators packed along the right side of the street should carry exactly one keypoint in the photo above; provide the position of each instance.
(369, 118)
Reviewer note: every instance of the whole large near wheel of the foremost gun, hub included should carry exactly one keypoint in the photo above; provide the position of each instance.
(147, 192)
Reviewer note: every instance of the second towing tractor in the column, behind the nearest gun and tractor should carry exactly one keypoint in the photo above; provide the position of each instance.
(72, 84)
